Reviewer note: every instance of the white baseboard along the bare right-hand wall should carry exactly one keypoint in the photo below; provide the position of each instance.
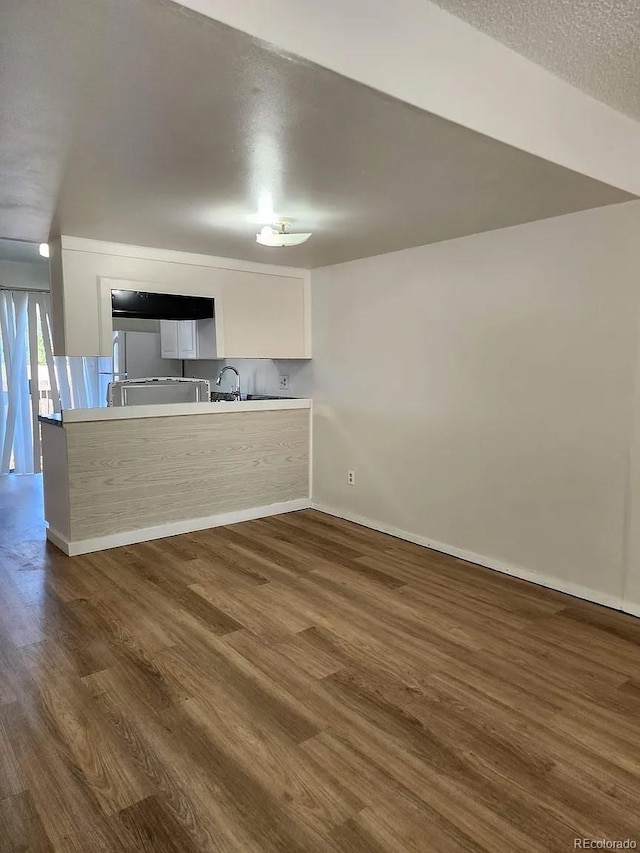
(549, 581)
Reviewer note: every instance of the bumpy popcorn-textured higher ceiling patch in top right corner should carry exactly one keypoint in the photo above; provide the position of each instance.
(594, 44)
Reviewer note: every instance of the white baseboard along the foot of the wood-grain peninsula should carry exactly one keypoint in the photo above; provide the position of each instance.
(174, 528)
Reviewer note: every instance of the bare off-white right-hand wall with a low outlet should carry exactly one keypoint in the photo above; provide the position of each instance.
(483, 390)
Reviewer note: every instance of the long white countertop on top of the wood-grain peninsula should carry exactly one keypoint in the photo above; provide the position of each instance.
(167, 410)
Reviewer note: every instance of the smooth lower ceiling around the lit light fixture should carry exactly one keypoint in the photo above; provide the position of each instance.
(137, 121)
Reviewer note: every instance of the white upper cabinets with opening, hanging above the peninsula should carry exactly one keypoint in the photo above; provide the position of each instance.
(261, 311)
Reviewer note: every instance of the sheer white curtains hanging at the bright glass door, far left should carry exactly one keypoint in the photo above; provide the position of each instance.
(34, 381)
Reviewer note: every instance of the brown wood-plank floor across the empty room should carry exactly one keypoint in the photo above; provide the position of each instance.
(303, 684)
